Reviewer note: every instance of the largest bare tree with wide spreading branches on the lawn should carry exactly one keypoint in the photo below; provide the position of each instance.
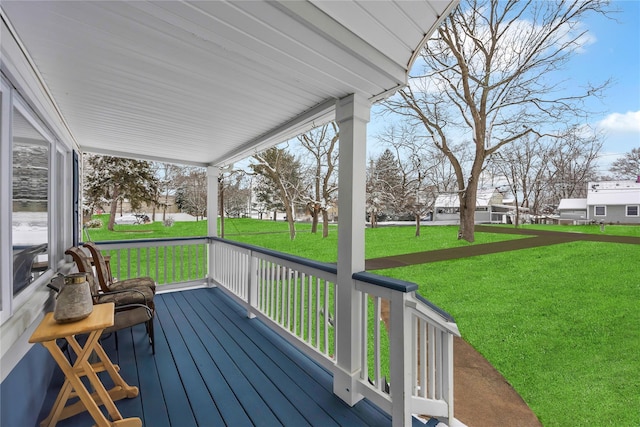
(487, 81)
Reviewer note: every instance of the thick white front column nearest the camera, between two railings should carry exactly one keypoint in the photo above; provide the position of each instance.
(352, 116)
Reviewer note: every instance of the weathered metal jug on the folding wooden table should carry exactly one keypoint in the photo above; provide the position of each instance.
(74, 300)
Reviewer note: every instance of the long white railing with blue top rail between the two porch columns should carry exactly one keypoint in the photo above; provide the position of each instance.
(293, 295)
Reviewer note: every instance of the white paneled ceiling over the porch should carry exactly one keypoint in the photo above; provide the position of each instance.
(206, 82)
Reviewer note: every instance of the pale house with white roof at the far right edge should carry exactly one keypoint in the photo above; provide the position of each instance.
(612, 202)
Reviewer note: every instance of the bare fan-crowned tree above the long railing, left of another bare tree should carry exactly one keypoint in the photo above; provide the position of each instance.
(281, 170)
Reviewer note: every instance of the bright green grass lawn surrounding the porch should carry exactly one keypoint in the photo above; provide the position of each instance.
(560, 322)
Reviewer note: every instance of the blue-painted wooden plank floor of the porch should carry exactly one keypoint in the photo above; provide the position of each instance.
(213, 367)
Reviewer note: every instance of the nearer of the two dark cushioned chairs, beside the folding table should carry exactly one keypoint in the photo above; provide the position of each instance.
(133, 306)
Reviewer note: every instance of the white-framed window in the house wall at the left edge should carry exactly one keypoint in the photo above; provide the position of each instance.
(35, 202)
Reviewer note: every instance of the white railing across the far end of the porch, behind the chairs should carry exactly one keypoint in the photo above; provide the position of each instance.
(172, 263)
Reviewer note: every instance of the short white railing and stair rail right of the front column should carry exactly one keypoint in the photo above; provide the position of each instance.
(418, 358)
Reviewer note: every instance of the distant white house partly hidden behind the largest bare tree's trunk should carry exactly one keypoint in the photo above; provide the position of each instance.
(491, 206)
